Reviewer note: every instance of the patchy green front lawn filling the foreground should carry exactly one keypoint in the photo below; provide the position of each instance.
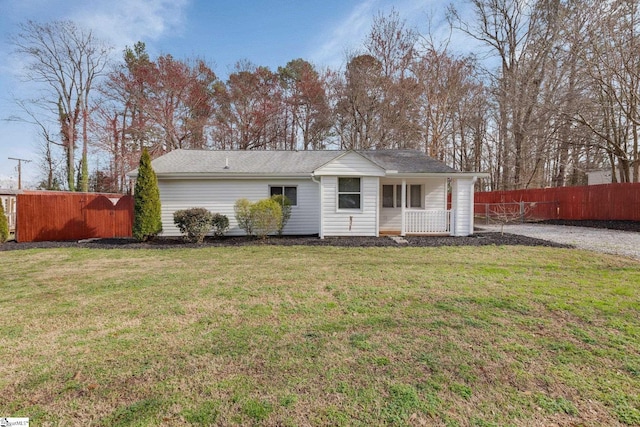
(289, 336)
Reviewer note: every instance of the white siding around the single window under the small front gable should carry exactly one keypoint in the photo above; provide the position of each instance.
(350, 222)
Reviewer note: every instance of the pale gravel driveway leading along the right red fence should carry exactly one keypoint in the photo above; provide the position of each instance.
(626, 243)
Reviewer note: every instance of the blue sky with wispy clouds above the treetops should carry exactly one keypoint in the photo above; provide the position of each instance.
(268, 33)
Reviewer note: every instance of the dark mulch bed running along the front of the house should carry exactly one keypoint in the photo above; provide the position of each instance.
(478, 239)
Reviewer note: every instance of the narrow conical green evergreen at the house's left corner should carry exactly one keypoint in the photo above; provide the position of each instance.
(146, 212)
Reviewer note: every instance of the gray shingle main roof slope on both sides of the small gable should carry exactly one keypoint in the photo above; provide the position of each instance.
(196, 162)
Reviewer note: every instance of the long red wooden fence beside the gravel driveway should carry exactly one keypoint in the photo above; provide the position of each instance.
(593, 202)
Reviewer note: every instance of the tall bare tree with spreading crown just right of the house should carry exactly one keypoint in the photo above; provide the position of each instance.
(521, 34)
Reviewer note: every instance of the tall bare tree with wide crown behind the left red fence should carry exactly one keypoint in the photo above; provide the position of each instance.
(66, 60)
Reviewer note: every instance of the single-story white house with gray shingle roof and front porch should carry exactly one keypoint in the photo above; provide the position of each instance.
(333, 193)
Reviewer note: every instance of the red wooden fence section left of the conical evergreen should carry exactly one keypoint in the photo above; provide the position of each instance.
(72, 216)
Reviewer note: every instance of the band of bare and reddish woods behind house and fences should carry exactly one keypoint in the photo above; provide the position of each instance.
(551, 93)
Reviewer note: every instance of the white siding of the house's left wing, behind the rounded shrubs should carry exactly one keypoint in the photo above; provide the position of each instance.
(219, 196)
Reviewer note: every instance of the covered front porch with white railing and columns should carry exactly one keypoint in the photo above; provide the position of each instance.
(422, 205)
